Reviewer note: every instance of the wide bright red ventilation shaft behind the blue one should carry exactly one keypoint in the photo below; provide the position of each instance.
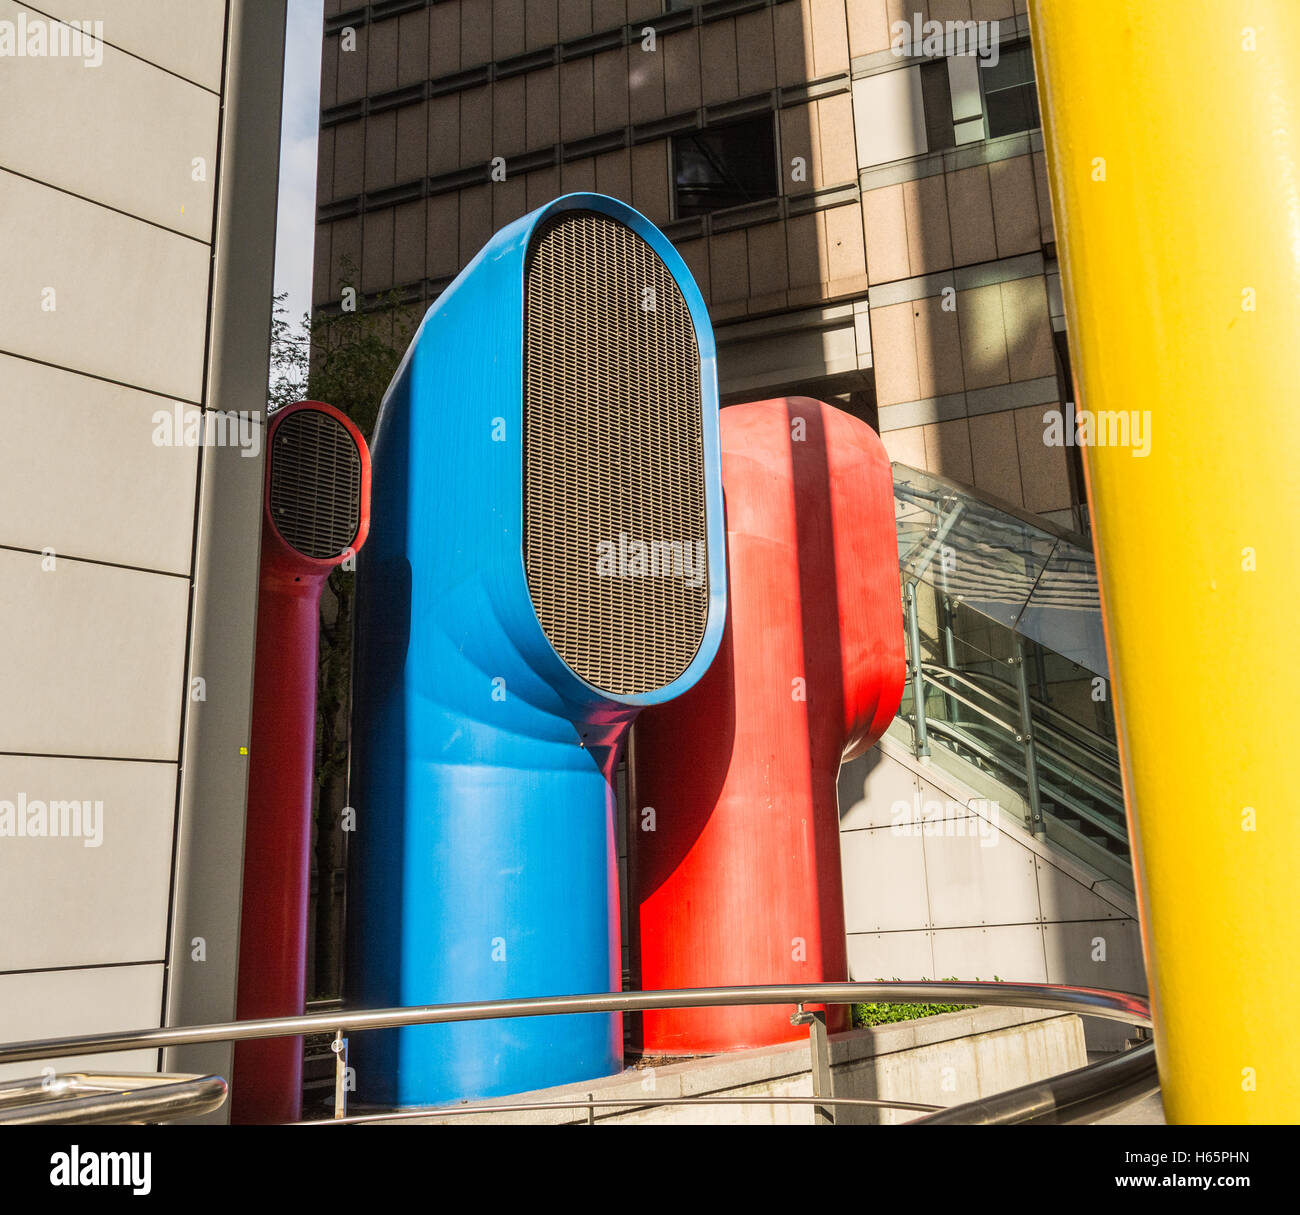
(739, 882)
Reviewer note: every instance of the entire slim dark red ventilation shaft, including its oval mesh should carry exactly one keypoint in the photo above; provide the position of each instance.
(317, 517)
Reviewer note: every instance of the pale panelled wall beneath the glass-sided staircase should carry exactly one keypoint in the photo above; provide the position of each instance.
(942, 882)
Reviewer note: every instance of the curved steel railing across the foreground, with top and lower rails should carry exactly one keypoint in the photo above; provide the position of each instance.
(1085, 1093)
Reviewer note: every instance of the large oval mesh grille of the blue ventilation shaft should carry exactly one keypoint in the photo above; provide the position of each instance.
(614, 463)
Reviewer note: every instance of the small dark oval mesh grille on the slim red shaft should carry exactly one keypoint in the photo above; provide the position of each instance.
(315, 484)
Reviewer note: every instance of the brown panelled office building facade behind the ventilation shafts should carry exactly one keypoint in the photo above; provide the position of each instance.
(857, 185)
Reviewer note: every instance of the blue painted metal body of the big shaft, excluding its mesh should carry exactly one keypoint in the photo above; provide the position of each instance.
(484, 856)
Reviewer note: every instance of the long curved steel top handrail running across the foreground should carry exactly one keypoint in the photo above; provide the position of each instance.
(1087, 1001)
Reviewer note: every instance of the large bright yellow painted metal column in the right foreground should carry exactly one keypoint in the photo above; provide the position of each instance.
(1173, 133)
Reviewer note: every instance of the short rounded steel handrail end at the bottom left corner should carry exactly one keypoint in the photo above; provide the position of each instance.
(90, 1099)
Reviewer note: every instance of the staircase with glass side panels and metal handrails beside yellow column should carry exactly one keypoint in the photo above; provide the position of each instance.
(1007, 662)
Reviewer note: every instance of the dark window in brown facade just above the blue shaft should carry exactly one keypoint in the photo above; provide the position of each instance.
(725, 167)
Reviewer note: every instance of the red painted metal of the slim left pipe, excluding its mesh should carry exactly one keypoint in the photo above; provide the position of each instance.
(268, 1074)
